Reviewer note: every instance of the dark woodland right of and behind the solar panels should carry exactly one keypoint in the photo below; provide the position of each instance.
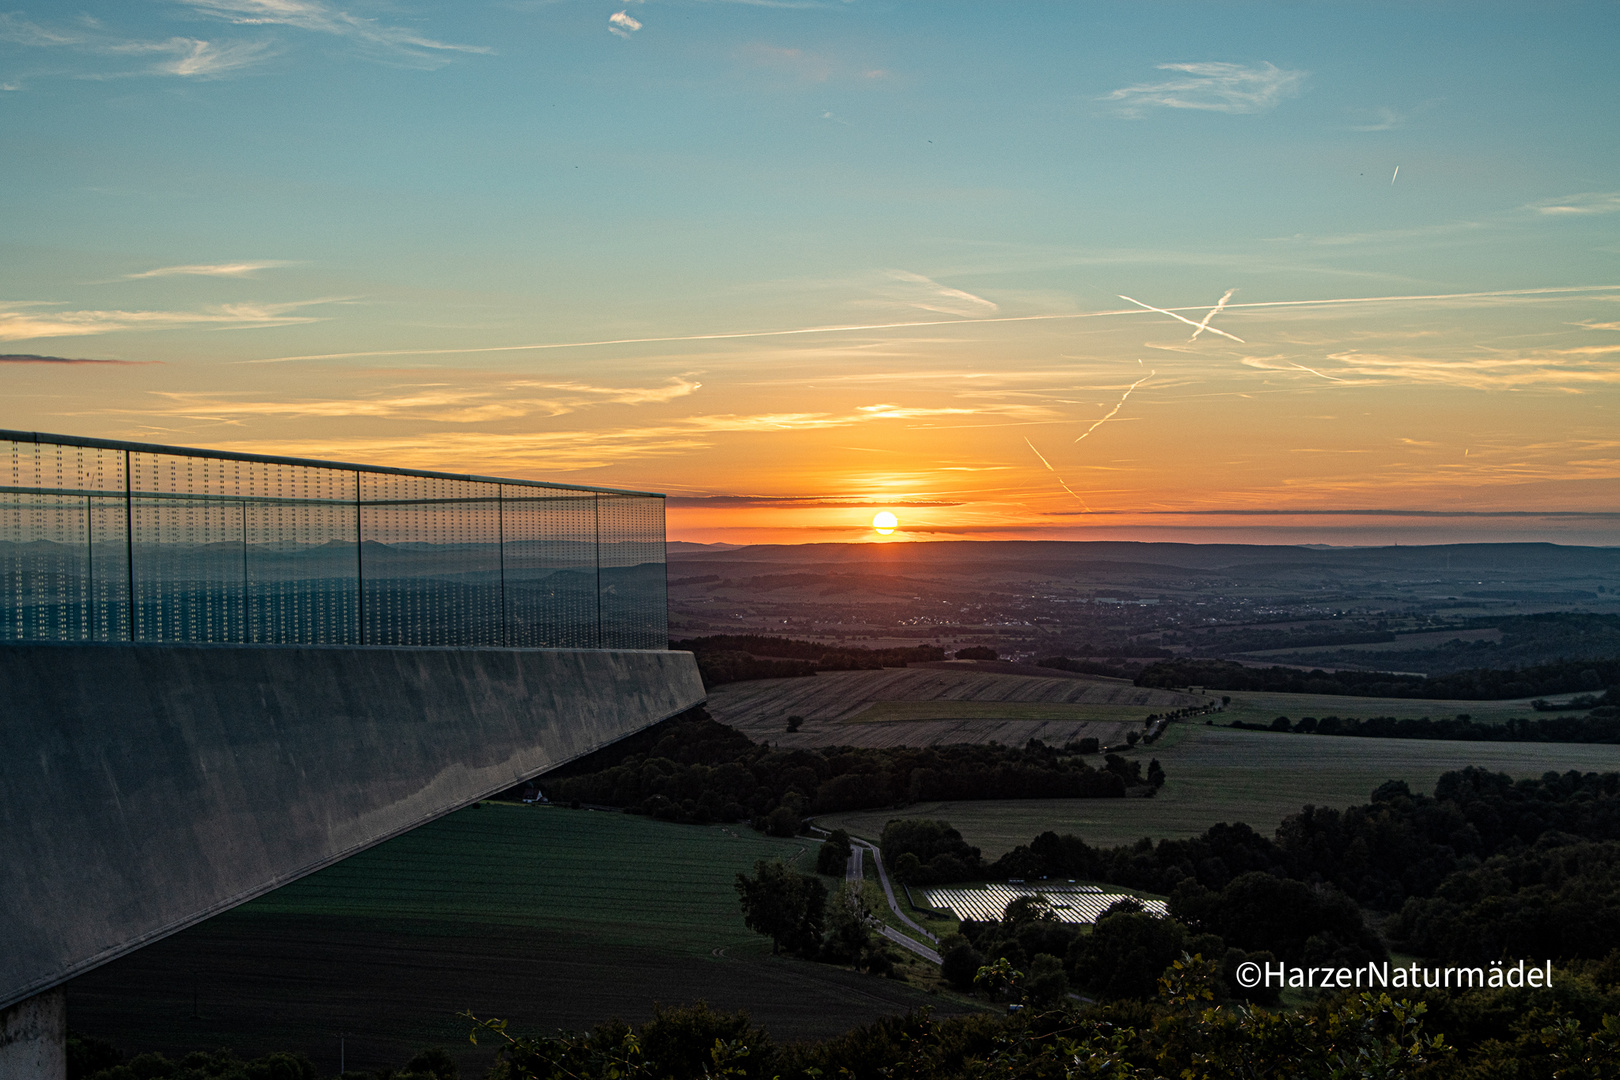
(1483, 865)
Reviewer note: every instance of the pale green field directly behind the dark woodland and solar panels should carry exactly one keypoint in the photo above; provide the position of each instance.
(1219, 775)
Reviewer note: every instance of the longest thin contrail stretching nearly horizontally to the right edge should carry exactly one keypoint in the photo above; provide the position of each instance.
(929, 323)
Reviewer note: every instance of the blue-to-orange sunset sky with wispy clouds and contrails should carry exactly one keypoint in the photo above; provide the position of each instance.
(1240, 273)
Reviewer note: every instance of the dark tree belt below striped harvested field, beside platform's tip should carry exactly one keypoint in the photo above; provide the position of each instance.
(696, 770)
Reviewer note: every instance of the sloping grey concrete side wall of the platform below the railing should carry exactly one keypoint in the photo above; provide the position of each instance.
(145, 788)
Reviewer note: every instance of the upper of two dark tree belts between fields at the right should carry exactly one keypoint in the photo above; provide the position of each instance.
(1480, 684)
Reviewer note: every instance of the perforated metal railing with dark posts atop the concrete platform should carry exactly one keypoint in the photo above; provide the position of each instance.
(121, 542)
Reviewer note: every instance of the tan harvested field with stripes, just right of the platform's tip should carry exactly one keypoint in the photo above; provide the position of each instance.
(926, 707)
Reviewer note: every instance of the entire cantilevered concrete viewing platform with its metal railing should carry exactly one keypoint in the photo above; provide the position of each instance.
(221, 673)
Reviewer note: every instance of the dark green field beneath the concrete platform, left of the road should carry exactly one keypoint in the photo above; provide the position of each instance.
(547, 917)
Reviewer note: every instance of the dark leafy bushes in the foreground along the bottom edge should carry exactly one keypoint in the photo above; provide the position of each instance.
(1180, 1029)
